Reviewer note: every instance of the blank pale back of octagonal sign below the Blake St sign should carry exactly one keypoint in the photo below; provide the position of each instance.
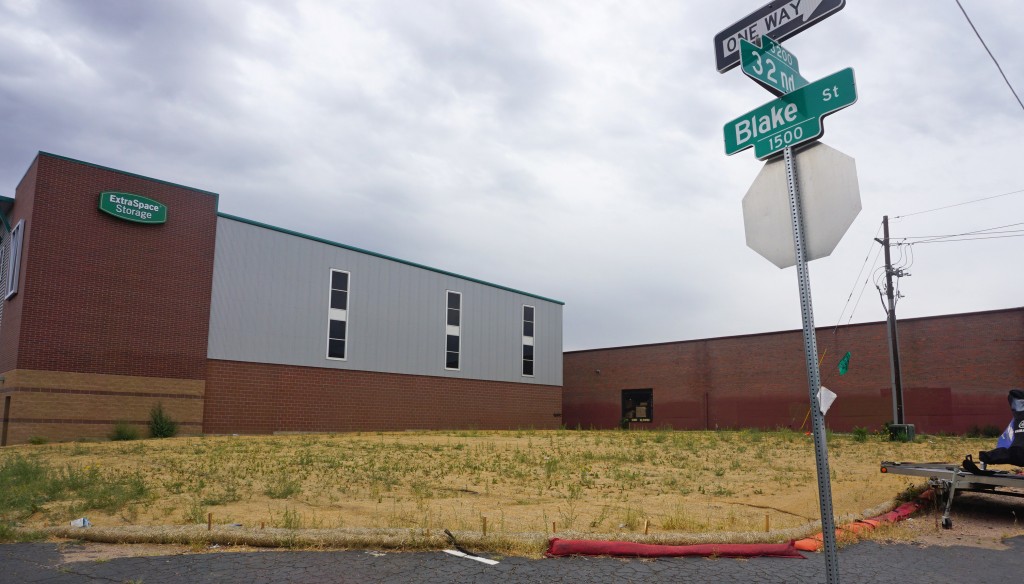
(830, 195)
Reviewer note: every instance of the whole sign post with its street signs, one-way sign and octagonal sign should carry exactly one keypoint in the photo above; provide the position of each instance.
(778, 127)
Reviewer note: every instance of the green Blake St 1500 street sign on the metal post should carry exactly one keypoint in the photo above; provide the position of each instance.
(793, 119)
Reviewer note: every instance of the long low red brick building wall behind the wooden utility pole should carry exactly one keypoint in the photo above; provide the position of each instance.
(957, 372)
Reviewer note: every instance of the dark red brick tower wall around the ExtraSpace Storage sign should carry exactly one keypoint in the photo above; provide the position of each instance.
(103, 296)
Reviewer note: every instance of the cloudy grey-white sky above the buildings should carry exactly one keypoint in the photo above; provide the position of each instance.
(571, 149)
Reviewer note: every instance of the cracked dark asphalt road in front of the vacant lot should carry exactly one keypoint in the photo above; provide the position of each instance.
(866, 562)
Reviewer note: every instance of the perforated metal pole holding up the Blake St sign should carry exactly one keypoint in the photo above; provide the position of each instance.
(814, 374)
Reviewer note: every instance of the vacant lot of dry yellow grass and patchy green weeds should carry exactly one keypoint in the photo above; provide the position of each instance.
(598, 483)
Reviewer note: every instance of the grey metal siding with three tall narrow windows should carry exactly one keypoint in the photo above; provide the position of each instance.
(270, 305)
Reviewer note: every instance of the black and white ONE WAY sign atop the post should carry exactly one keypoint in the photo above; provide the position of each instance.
(780, 20)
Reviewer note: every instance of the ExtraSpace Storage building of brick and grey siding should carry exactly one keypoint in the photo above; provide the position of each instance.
(123, 291)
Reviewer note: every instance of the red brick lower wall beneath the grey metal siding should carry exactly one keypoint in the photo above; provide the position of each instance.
(251, 398)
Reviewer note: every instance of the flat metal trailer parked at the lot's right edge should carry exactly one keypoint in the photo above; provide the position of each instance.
(949, 478)
